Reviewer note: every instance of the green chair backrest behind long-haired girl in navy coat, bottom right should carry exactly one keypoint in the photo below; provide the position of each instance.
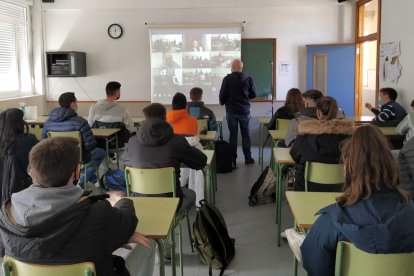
(351, 261)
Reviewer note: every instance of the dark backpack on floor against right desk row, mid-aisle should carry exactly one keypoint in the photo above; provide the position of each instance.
(263, 190)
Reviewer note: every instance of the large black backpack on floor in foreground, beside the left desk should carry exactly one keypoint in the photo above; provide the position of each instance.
(211, 238)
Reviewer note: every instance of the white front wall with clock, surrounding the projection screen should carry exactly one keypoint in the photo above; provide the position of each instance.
(82, 26)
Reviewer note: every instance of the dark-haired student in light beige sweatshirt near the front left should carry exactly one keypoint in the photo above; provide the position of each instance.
(110, 114)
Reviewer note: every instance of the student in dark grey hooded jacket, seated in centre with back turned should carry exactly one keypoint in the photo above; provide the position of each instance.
(156, 146)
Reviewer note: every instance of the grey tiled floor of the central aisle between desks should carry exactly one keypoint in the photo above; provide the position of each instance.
(253, 228)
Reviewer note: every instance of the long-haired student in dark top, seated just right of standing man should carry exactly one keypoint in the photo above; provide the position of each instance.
(293, 104)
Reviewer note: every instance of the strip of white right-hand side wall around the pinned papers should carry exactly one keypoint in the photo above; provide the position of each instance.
(396, 25)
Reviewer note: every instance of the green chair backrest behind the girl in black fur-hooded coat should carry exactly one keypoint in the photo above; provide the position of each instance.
(322, 173)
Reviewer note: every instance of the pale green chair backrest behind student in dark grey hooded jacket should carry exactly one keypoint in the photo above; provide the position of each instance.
(150, 181)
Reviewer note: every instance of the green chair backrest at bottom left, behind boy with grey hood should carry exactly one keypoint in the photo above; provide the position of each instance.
(17, 268)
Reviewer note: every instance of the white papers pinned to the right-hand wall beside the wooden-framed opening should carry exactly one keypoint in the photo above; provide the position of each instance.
(390, 67)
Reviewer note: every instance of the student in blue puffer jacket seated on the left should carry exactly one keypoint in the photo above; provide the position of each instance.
(65, 118)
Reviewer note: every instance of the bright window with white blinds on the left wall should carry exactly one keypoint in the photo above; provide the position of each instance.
(15, 68)
